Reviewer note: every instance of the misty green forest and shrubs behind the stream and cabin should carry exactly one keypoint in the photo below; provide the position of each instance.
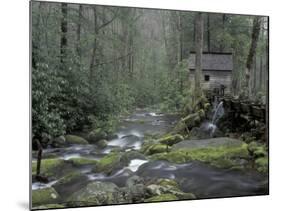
(91, 63)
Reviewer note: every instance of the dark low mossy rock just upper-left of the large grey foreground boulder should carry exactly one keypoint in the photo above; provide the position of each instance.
(69, 183)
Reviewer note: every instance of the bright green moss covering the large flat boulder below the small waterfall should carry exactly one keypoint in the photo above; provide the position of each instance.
(223, 157)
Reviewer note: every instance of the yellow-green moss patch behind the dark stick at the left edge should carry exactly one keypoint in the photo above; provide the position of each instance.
(49, 167)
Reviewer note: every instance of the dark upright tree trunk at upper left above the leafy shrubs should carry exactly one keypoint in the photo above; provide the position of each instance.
(63, 42)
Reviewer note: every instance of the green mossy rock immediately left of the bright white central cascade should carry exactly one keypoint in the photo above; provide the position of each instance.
(107, 163)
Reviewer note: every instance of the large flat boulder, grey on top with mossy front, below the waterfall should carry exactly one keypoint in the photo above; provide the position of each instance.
(217, 152)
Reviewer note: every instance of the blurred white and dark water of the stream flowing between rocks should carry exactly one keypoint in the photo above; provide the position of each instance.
(201, 179)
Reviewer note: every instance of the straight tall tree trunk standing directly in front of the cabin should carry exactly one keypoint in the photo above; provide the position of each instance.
(198, 50)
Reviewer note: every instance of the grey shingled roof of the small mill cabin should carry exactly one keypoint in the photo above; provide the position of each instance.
(213, 61)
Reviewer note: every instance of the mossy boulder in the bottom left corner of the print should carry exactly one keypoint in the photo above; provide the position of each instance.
(44, 196)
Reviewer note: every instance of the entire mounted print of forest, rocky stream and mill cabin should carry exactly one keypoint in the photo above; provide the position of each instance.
(133, 105)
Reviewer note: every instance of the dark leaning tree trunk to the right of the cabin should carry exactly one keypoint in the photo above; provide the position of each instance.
(252, 52)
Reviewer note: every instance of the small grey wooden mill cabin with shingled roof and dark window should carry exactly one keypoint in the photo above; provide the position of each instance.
(216, 70)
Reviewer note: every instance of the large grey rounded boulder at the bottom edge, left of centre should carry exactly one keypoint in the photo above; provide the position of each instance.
(98, 193)
